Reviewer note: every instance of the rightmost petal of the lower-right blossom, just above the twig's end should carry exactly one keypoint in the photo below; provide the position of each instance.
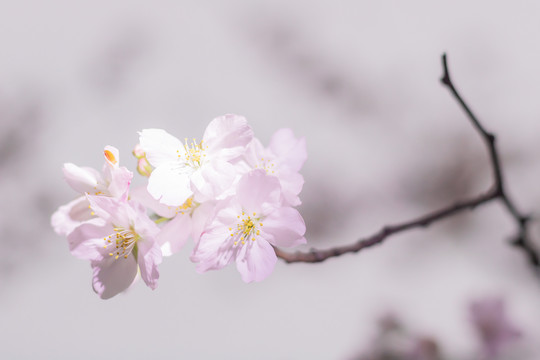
(286, 227)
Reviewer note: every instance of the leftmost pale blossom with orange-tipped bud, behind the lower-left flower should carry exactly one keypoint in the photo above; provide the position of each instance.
(113, 181)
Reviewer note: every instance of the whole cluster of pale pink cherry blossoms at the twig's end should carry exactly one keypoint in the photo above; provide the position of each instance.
(231, 195)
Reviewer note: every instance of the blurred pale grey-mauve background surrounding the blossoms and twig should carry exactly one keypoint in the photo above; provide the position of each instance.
(386, 143)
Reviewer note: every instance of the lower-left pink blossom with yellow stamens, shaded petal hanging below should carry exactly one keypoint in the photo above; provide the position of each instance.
(119, 242)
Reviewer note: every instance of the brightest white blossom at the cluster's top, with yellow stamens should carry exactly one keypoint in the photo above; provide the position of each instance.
(199, 169)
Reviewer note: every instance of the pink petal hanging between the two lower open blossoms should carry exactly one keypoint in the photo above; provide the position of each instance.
(174, 234)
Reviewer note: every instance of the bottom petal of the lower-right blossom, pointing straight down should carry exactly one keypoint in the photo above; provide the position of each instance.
(256, 260)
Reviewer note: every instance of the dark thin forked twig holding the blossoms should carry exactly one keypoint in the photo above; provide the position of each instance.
(497, 191)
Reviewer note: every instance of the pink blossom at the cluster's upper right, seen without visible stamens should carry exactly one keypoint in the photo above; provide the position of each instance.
(284, 159)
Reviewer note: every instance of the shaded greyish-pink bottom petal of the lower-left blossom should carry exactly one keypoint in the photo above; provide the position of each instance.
(111, 276)
